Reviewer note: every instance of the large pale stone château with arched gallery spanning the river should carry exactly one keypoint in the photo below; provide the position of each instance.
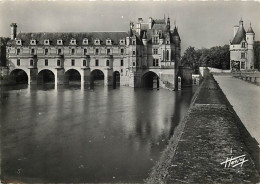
(149, 52)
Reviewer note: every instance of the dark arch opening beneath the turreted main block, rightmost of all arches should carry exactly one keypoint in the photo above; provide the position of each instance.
(150, 80)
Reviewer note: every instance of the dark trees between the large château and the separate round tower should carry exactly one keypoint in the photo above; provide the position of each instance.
(217, 57)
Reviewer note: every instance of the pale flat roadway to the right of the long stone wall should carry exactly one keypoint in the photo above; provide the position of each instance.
(245, 99)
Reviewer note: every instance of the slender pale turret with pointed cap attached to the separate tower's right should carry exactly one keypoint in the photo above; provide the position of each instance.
(250, 38)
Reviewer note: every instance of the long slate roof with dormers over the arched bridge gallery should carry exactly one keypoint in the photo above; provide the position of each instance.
(66, 37)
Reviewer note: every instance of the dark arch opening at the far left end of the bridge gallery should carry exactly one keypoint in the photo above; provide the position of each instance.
(19, 76)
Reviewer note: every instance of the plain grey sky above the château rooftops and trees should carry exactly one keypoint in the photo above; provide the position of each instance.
(200, 24)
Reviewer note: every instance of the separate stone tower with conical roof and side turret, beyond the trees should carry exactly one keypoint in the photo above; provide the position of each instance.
(242, 48)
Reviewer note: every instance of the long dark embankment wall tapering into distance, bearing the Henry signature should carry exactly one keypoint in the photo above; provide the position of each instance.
(207, 136)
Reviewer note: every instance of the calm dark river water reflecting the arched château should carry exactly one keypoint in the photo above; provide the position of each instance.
(72, 134)
